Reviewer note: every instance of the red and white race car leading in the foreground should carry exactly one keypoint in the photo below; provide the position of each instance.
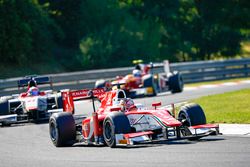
(119, 121)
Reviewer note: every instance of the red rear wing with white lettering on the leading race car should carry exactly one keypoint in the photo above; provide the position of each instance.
(68, 97)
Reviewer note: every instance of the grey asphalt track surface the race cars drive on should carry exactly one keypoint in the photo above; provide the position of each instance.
(30, 145)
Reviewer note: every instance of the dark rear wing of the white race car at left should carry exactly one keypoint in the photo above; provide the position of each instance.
(39, 80)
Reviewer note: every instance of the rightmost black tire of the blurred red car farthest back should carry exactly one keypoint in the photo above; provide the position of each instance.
(175, 82)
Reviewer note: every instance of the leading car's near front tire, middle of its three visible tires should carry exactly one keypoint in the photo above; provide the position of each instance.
(115, 123)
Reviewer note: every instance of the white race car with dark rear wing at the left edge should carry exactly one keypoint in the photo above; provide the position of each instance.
(33, 105)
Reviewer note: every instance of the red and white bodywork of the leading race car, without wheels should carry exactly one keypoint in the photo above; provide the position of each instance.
(93, 125)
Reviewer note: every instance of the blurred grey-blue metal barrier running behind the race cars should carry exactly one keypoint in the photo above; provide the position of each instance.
(198, 71)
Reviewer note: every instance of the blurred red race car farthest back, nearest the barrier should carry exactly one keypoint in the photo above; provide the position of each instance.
(144, 82)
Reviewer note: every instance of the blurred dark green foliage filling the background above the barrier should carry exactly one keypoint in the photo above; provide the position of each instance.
(77, 35)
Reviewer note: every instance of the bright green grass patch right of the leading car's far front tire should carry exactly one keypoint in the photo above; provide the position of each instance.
(230, 107)
